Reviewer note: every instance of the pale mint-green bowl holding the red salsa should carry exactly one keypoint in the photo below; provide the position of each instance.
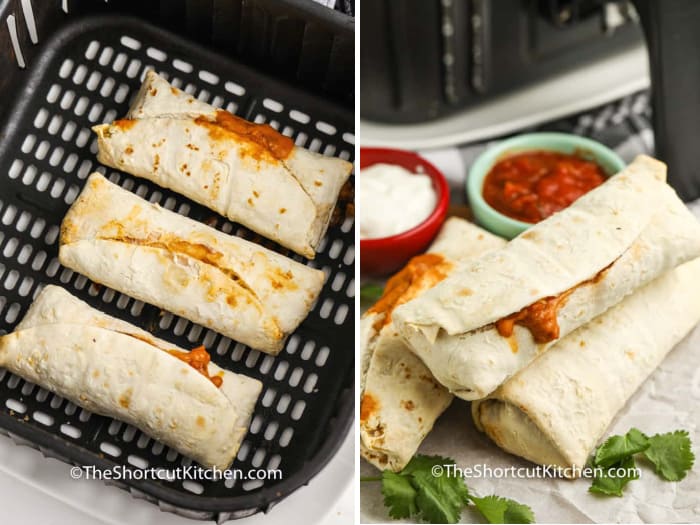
(503, 225)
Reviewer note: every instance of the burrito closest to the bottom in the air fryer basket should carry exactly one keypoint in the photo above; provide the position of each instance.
(113, 368)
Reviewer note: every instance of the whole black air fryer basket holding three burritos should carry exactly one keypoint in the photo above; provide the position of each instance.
(67, 65)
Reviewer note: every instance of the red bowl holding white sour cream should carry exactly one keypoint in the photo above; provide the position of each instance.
(387, 254)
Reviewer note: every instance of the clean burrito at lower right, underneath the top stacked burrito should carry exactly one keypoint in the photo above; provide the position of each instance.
(556, 410)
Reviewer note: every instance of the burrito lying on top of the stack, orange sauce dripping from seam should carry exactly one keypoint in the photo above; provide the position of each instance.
(495, 315)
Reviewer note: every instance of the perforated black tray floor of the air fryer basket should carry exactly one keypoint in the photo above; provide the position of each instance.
(90, 80)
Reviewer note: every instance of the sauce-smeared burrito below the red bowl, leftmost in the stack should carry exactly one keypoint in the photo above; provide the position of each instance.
(400, 398)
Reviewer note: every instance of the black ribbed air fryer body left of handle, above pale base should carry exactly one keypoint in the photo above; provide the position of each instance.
(425, 59)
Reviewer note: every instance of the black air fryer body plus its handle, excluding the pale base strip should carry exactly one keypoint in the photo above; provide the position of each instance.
(426, 59)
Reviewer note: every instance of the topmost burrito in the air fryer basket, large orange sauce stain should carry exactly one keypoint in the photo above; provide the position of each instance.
(247, 172)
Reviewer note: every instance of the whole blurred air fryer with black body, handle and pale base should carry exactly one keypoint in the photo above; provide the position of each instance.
(439, 72)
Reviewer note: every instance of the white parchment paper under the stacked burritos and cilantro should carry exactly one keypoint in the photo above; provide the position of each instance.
(669, 400)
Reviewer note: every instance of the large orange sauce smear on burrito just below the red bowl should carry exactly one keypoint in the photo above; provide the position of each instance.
(420, 273)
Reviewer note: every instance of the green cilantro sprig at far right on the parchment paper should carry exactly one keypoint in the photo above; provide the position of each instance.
(615, 460)
